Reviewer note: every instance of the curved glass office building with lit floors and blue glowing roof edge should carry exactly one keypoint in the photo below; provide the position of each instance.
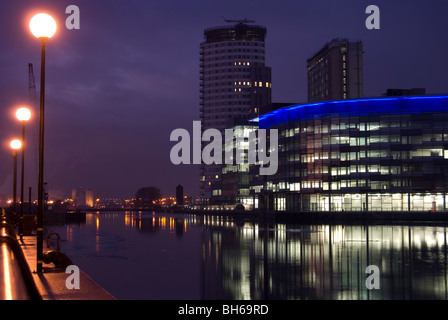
(381, 154)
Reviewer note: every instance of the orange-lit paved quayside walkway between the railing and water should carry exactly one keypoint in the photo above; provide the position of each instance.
(51, 282)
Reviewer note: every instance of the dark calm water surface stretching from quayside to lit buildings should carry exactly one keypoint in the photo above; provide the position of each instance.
(159, 256)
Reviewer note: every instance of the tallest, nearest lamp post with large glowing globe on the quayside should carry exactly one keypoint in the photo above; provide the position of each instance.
(43, 27)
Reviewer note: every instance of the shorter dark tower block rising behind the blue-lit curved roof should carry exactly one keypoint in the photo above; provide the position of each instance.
(336, 72)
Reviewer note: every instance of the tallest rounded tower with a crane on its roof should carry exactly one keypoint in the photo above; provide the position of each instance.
(234, 84)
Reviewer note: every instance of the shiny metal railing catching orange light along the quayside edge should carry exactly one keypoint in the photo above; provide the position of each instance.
(16, 280)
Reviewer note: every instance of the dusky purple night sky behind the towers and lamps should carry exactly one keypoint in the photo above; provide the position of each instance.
(117, 87)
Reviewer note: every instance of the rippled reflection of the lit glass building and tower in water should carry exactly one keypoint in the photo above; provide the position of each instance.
(323, 262)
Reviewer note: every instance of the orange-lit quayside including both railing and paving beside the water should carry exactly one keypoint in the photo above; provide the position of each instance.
(21, 282)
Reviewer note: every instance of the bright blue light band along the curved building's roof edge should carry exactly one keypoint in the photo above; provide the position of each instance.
(359, 107)
